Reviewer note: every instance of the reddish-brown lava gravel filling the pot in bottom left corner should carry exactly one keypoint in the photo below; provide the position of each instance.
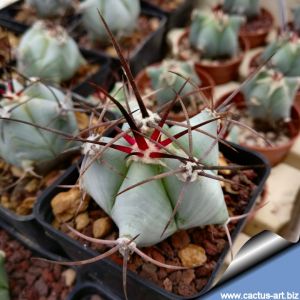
(31, 279)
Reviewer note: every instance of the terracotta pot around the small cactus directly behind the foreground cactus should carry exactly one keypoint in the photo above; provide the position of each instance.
(208, 85)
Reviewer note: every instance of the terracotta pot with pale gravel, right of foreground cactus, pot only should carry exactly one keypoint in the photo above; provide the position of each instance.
(277, 153)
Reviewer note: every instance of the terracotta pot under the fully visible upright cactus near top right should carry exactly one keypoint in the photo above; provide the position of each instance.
(221, 72)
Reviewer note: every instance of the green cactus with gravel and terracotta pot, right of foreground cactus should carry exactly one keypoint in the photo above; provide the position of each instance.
(266, 104)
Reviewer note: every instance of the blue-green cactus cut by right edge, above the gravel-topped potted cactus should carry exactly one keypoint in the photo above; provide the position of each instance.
(286, 56)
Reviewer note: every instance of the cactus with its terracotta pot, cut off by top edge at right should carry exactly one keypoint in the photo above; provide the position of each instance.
(259, 20)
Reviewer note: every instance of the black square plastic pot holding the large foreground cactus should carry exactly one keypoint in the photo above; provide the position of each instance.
(109, 273)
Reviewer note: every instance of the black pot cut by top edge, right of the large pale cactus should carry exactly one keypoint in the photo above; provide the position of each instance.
(177, 18)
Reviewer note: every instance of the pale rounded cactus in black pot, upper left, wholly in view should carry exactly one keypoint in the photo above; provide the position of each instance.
(47, 51)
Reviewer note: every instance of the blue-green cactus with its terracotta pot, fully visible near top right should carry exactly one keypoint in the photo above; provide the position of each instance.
(213, 44)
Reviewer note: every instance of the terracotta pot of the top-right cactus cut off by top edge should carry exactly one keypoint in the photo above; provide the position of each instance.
(257, 37)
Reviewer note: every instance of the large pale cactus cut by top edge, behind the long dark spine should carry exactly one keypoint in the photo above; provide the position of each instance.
(120, 15)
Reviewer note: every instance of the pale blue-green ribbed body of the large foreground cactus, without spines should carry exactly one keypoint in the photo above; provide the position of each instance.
(145, 210)
